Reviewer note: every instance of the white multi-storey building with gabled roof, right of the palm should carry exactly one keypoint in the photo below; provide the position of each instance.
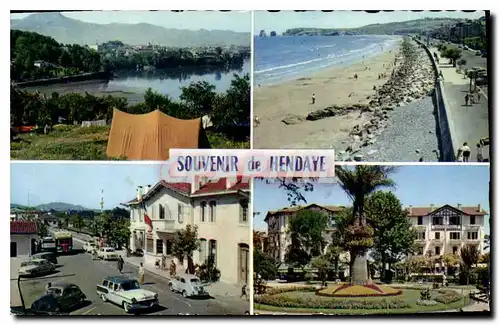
(446, 229)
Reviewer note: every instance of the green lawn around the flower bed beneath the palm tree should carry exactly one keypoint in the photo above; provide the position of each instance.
(409, 296)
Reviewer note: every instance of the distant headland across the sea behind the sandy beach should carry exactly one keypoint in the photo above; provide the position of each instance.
(396, 28)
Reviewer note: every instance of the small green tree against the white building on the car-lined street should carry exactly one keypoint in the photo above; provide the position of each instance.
(185, 242)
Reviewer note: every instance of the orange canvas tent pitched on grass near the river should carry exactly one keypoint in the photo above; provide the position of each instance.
(150, 136)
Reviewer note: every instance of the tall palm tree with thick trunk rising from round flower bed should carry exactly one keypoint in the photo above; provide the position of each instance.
(358, 184)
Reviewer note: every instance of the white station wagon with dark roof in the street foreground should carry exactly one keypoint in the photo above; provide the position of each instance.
(127, 293)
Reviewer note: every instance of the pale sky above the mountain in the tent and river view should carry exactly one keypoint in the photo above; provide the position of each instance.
(239, 21)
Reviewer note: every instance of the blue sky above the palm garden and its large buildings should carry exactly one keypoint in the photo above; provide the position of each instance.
(415, 185)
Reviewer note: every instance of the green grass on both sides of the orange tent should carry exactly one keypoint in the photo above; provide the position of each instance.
(79, 143)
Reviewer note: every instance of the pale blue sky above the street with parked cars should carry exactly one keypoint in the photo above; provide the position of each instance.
(81, 183)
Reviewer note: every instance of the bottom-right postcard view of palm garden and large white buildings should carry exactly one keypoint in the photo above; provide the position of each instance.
(374, 240)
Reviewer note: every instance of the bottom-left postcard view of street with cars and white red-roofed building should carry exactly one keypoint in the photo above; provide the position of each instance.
(68, 259)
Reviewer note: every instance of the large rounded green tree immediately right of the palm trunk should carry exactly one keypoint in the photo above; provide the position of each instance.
(393, 234)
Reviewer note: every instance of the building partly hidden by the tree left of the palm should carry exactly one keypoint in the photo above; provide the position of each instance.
(277, 226)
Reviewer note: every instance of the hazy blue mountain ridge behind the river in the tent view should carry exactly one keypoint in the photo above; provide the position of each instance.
(72, 31)
